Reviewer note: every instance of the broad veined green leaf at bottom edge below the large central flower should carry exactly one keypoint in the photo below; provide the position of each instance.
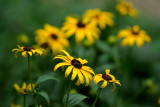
(74, 99)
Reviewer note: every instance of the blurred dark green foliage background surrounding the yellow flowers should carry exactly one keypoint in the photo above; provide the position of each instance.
(139, 76)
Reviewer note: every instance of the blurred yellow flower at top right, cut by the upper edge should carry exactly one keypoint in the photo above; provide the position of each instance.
(126, 7)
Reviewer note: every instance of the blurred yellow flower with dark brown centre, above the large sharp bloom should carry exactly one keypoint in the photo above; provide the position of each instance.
(81, 29)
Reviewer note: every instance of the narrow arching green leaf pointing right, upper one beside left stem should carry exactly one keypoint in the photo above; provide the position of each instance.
(44, 78)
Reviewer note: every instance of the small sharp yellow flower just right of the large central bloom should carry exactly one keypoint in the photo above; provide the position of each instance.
(105, 78)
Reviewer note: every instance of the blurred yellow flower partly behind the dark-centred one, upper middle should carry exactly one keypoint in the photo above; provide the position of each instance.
(99, 18)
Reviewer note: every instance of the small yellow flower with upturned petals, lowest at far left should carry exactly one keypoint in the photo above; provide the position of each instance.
(25, 89)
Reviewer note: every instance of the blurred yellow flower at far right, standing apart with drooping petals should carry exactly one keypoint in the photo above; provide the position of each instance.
(133, 35)
